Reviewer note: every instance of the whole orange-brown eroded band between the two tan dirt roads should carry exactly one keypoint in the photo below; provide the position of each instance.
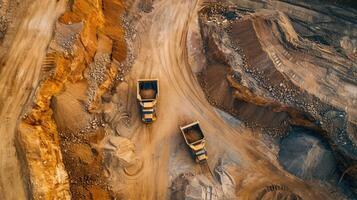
(58, 134)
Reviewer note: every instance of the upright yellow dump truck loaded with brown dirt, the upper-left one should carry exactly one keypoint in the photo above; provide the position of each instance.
(147, 94)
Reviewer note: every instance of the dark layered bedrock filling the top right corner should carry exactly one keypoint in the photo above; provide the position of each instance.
(314, 20)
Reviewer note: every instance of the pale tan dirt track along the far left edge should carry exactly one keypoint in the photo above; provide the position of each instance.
(18, 78)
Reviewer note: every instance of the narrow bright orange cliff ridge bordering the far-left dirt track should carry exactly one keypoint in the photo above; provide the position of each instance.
(39, 142)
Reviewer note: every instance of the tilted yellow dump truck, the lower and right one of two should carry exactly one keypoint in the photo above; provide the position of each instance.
(195, 139)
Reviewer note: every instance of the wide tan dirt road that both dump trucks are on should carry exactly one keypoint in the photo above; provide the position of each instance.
(162, 54)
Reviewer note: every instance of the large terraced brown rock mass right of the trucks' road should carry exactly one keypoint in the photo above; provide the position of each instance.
(265, 73)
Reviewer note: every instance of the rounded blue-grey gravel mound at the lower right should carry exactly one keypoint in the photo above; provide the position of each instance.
(307, 156)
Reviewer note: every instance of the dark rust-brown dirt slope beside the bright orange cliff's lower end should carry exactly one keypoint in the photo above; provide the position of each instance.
(84, 165)
